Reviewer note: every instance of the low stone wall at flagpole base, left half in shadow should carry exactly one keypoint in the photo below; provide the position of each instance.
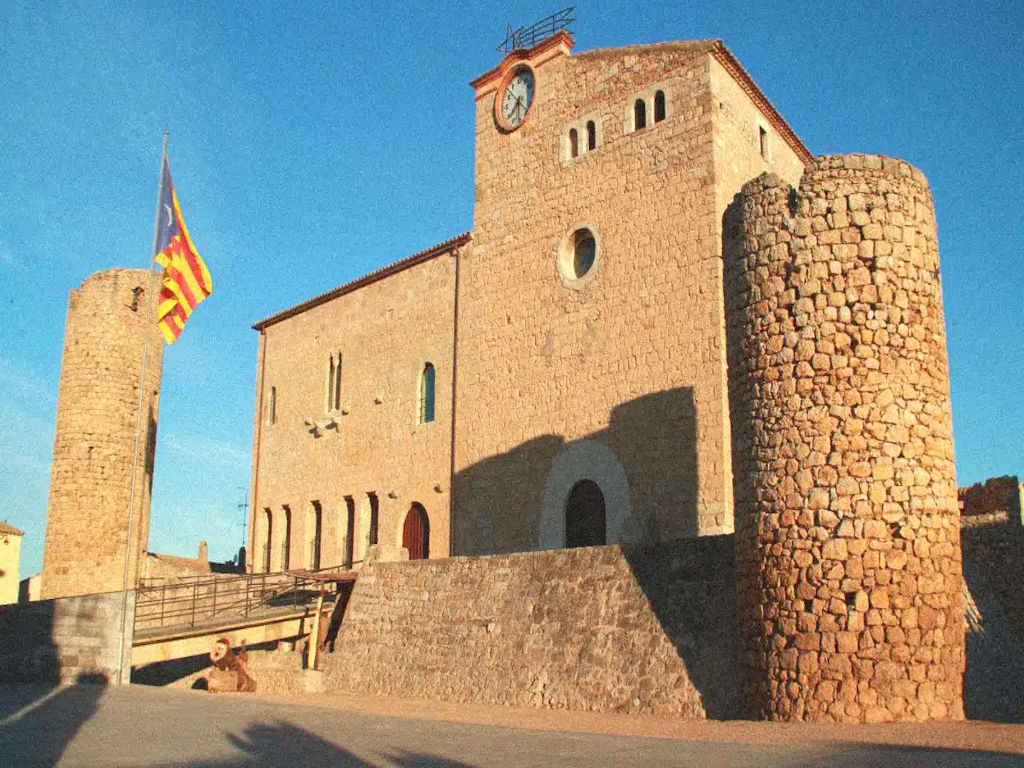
(66, 641)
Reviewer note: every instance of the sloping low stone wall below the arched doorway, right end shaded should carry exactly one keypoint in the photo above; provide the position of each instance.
(600, 629)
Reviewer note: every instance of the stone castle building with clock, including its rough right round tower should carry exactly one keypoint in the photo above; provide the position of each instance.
(668, 322)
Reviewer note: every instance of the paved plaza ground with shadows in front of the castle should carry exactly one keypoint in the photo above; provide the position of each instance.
(90, 726)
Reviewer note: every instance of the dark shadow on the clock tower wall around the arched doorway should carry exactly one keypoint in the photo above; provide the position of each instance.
(496, 503)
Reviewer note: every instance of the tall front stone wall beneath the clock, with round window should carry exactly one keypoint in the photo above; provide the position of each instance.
(544, 366)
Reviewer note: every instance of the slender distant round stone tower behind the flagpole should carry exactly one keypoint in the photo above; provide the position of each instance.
(98, 409)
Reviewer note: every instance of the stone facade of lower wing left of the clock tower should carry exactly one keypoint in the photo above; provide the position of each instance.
(372, 449)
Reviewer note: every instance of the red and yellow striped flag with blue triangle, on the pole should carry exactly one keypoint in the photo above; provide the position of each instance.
(187, 281)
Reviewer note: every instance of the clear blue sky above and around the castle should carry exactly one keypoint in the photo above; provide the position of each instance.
(314, 143)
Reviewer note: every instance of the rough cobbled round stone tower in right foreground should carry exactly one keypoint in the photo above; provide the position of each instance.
(848, 551)
